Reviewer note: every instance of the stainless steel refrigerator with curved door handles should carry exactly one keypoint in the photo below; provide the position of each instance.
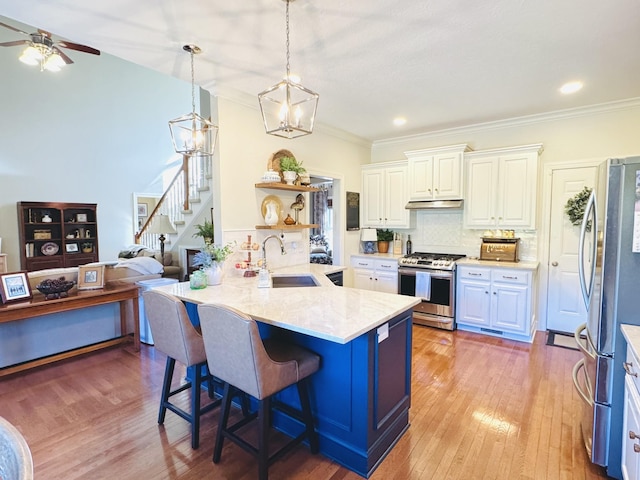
(609, 265)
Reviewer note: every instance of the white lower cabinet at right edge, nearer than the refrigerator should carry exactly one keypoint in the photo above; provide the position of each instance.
(631, 421)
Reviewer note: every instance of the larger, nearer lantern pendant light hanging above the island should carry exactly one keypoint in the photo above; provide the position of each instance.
(288, 109)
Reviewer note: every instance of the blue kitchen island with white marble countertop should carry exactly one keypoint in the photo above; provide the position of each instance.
(362, 393)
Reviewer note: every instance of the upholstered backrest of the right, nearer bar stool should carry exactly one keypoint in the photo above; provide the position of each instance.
(236, 354)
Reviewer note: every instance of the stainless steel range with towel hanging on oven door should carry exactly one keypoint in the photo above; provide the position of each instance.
(430, 276)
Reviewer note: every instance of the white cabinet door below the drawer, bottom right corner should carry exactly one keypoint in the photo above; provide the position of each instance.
(631, 426)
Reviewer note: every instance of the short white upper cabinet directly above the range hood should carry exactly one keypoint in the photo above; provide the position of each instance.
(436, 173)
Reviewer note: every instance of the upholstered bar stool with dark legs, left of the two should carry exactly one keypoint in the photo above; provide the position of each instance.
(176, 337)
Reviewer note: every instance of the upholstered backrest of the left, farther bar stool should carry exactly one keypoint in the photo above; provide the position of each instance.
(172, 330)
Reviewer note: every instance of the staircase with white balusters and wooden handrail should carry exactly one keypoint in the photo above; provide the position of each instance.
(185, 191)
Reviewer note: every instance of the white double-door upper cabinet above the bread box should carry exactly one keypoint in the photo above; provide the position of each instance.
(501, 188)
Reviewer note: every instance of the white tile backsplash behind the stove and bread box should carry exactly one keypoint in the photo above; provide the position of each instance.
(441, 231)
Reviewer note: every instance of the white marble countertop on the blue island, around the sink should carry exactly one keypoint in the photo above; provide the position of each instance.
(337, 314)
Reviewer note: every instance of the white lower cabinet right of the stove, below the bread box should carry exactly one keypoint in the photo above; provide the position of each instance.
(496, 301)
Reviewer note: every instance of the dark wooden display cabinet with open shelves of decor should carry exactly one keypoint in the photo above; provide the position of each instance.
(54, 235)
